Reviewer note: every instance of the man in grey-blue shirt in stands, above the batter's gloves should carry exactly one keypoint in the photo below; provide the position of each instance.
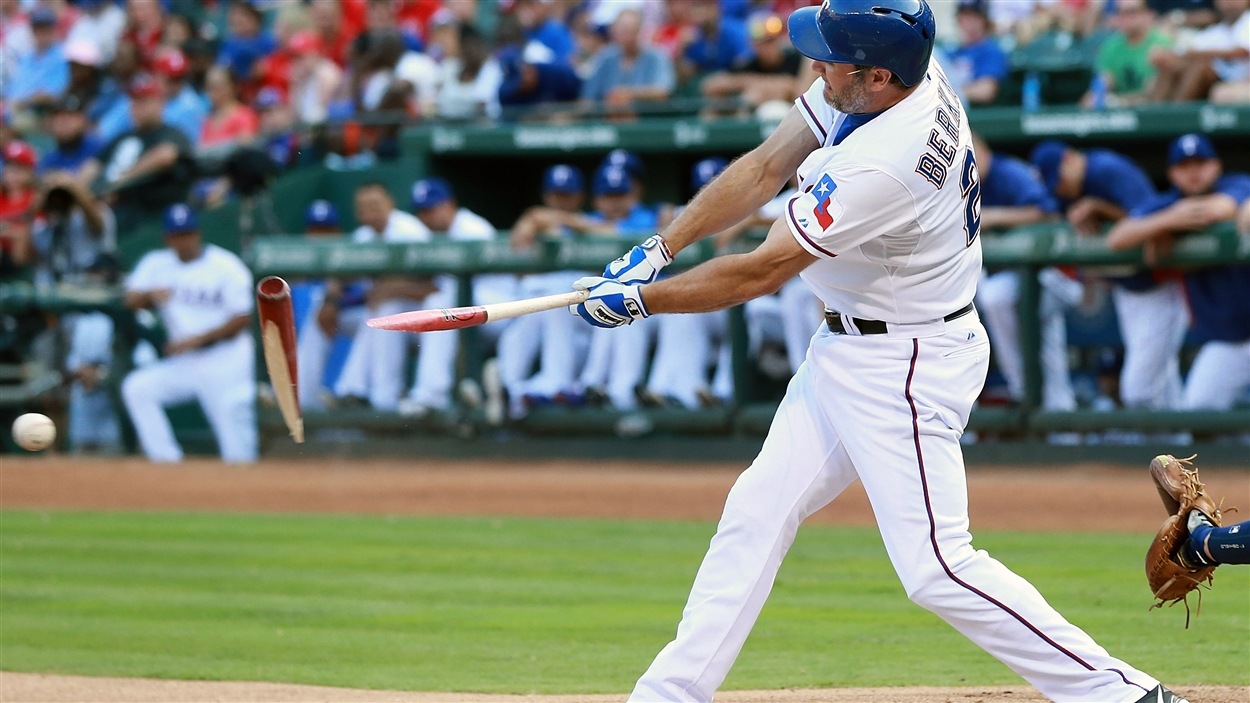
(628, 71)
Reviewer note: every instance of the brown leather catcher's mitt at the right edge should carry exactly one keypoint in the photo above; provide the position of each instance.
(1171, 579)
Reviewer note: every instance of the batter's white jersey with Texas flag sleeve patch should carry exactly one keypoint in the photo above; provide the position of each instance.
(893, 212)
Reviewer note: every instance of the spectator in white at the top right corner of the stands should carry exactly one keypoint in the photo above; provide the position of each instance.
(1219, 53)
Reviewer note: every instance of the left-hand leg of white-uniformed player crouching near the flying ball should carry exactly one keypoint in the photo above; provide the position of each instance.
(147, 392)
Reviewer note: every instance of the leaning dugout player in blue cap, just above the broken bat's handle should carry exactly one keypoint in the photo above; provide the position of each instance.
(553, 338)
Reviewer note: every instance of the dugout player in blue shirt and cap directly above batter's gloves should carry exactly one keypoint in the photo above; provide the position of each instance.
(616, 363)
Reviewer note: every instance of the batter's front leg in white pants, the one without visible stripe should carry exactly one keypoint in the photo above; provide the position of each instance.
(801, 468)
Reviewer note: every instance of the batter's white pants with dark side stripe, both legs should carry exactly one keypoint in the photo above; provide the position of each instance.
(888, 411)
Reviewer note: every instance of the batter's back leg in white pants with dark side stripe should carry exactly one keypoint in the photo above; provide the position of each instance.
(901, 407)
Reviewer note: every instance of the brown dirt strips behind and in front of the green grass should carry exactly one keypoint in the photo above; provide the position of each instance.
(1067, 498)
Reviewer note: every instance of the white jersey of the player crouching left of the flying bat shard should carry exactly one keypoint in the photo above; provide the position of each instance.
(204, 295)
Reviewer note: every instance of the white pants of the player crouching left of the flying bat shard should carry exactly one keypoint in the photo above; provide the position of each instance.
(222, 378)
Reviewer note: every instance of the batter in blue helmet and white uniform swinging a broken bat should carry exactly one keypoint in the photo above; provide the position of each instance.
(884, 230)
